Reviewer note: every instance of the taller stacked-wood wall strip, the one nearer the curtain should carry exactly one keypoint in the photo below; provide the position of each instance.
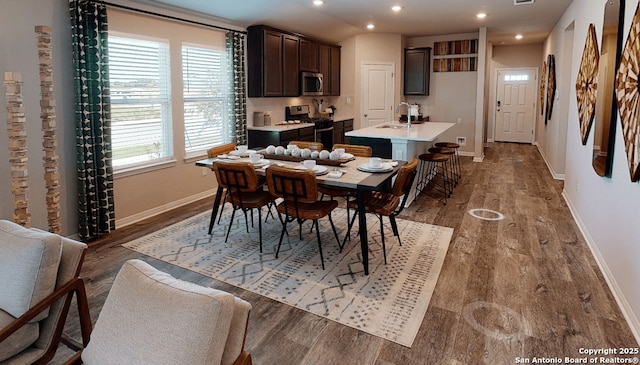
(48, 116)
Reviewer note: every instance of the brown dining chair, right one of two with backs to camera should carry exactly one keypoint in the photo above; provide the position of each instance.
(298, 190)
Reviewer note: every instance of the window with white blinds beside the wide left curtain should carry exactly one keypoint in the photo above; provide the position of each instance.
(141, 125)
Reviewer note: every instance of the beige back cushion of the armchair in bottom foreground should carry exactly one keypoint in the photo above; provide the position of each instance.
(150, 317)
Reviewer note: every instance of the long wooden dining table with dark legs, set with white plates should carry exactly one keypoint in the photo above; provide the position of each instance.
(351, 177)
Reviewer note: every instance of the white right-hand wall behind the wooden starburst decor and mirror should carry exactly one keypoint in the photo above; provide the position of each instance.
(606, 209)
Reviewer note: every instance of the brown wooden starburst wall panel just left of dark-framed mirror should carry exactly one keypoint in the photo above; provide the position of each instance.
(587, 83)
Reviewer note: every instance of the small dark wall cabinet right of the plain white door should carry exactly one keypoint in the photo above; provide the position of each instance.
(416, 71)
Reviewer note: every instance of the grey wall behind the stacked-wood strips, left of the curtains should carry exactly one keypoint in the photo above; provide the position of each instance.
(19, 54)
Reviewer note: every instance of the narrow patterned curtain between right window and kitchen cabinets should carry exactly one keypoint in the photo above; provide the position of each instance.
(238, 102)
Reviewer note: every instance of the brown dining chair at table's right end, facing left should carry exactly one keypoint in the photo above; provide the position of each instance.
(391, 203)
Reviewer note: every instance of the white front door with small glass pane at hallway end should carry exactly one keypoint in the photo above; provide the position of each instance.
(515, 105)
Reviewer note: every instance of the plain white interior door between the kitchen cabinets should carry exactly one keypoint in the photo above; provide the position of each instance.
(377, 93)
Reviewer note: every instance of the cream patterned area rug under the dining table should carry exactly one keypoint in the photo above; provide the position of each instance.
(389, 303)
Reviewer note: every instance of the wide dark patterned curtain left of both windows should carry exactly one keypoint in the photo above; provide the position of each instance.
(92, 118)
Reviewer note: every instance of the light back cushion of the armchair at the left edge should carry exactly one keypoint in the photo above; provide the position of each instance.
(29, 261)
